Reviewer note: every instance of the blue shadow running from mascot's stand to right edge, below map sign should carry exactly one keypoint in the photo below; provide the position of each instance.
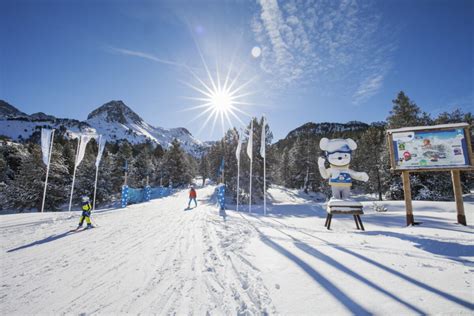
(450, 250)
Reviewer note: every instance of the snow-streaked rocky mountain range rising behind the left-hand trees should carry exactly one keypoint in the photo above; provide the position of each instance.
(114, 120)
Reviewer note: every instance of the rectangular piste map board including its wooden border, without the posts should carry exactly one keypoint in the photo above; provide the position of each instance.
(431, 147)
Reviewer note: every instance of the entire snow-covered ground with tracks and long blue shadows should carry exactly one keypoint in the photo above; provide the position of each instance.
(157, 258)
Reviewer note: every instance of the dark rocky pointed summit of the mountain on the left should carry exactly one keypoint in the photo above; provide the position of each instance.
(116, 111)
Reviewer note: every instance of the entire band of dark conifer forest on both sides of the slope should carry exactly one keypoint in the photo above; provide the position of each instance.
(291, 162)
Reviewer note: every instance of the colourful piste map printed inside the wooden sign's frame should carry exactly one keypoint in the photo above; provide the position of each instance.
(430, 149)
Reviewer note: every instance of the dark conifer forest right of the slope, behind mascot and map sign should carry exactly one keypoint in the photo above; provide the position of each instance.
(292, 162)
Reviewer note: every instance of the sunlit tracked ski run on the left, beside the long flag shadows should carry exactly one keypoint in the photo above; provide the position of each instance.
(148, 258)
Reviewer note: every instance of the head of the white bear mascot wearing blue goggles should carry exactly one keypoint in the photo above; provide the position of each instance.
(338, 151)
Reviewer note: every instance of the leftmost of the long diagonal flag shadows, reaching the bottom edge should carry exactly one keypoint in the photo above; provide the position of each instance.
(338, 294)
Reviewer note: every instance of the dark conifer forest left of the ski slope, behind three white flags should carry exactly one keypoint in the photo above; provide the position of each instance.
(22, 171)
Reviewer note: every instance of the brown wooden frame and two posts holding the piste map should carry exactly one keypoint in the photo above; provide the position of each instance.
(455, 170)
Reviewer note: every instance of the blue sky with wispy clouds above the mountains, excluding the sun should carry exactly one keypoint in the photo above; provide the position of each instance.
(320, 60)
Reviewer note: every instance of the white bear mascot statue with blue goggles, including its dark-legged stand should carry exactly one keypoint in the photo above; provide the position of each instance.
(338, 152)
